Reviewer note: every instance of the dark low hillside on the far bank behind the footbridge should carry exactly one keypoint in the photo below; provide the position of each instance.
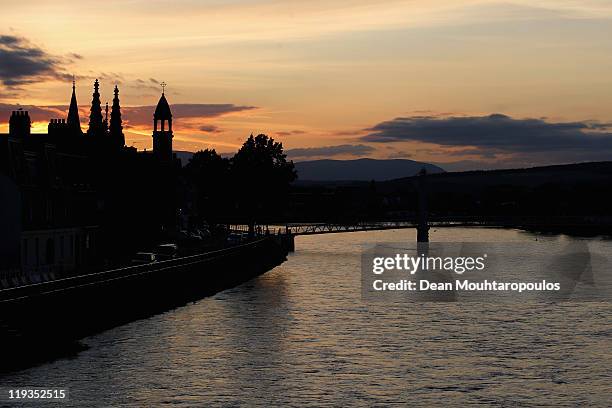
(571, 190)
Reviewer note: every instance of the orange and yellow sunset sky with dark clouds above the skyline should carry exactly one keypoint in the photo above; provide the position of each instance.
(461, 83)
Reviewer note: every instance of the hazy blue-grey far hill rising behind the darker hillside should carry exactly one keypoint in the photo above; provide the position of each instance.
(361, 169)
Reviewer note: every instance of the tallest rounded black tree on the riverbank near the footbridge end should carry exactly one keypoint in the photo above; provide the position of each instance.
(262, 175)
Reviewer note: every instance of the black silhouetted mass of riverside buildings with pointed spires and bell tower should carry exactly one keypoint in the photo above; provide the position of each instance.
(79, 202)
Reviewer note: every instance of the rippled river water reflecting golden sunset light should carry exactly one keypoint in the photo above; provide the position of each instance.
(302, 335)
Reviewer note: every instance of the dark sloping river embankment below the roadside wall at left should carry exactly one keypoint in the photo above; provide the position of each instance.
(47, 324)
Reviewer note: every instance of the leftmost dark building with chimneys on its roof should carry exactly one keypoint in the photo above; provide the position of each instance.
(54, 201)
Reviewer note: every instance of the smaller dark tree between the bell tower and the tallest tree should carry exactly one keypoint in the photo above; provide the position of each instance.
(208, 173)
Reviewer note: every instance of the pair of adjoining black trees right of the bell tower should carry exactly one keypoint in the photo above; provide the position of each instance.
(250, 187)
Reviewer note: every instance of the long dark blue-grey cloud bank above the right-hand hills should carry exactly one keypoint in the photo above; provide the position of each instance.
(500, 138)
